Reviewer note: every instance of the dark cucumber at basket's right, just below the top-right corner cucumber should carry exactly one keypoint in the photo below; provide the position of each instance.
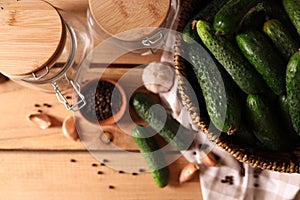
(281, 38)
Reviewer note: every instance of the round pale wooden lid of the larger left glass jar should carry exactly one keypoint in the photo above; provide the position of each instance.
(31, 35)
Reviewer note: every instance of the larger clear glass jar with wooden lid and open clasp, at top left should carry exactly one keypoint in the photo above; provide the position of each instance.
(42, 47)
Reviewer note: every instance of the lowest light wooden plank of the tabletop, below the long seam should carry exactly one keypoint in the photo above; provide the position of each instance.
(51, 175)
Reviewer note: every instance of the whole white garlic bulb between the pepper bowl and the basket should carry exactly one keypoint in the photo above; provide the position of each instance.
(158, 77)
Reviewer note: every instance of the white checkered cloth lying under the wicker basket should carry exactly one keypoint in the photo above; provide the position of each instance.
(231, 180)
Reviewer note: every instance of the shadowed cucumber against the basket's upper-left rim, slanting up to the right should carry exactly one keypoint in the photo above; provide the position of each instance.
(207, 13)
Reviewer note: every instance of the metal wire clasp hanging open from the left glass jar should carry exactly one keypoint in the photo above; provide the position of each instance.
(60, 97)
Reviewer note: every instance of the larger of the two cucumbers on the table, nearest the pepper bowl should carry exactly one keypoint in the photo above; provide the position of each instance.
(163, 123)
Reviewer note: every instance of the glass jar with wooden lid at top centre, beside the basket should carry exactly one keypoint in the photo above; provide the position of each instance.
(133, 24)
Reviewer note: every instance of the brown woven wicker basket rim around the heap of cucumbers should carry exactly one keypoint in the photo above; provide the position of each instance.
(286, 162)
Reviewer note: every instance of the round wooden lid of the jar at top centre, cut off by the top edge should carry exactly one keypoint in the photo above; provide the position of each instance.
(117, 16)
